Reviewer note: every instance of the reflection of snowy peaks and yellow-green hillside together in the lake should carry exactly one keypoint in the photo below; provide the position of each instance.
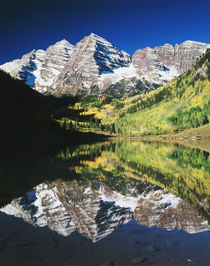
(108, 184)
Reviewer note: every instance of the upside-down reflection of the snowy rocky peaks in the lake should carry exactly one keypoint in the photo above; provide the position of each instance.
(95, 213)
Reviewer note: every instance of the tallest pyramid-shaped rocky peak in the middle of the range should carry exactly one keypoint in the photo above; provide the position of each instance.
(92, 57)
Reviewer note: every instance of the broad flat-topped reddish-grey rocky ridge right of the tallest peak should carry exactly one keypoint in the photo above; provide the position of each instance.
(163, 63)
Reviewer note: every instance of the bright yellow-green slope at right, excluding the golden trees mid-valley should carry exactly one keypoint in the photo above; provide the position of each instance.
(183, 103)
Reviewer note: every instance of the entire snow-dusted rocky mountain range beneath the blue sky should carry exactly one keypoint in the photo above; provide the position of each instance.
(94, 66)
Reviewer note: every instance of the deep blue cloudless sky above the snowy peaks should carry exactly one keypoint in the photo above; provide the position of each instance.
(127, 24)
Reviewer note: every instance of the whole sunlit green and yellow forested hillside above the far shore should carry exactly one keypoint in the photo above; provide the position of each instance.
(183, 103)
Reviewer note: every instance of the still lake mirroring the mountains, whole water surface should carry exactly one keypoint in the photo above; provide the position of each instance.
(110, 203)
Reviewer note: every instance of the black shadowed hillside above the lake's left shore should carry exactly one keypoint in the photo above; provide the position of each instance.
(29, 117)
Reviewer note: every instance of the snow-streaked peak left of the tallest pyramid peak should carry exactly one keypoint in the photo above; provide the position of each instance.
(40, 68)
